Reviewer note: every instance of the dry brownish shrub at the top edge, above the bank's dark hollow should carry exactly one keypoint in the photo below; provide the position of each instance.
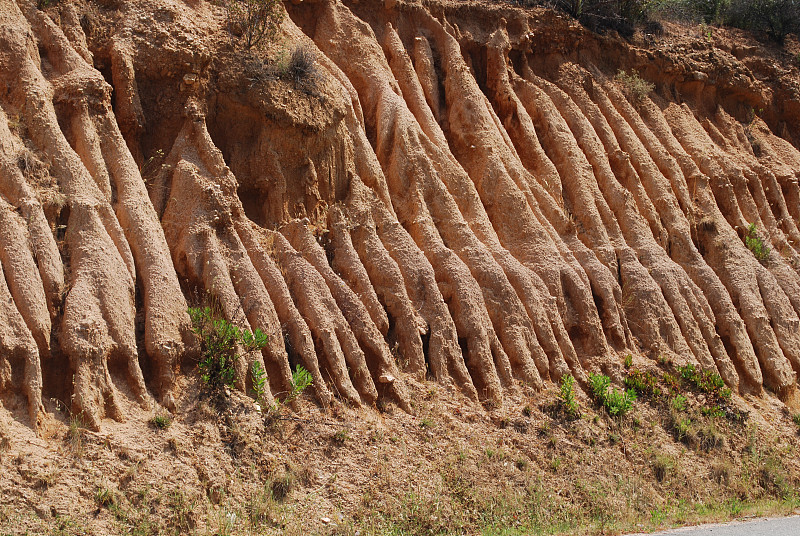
(257, 21)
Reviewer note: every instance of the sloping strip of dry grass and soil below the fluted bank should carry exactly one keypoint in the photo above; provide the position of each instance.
(450, 469)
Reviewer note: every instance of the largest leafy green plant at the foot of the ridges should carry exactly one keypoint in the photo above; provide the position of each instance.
(219, 342)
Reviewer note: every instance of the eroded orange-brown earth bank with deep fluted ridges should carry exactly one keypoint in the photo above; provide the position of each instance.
(462, 193)
